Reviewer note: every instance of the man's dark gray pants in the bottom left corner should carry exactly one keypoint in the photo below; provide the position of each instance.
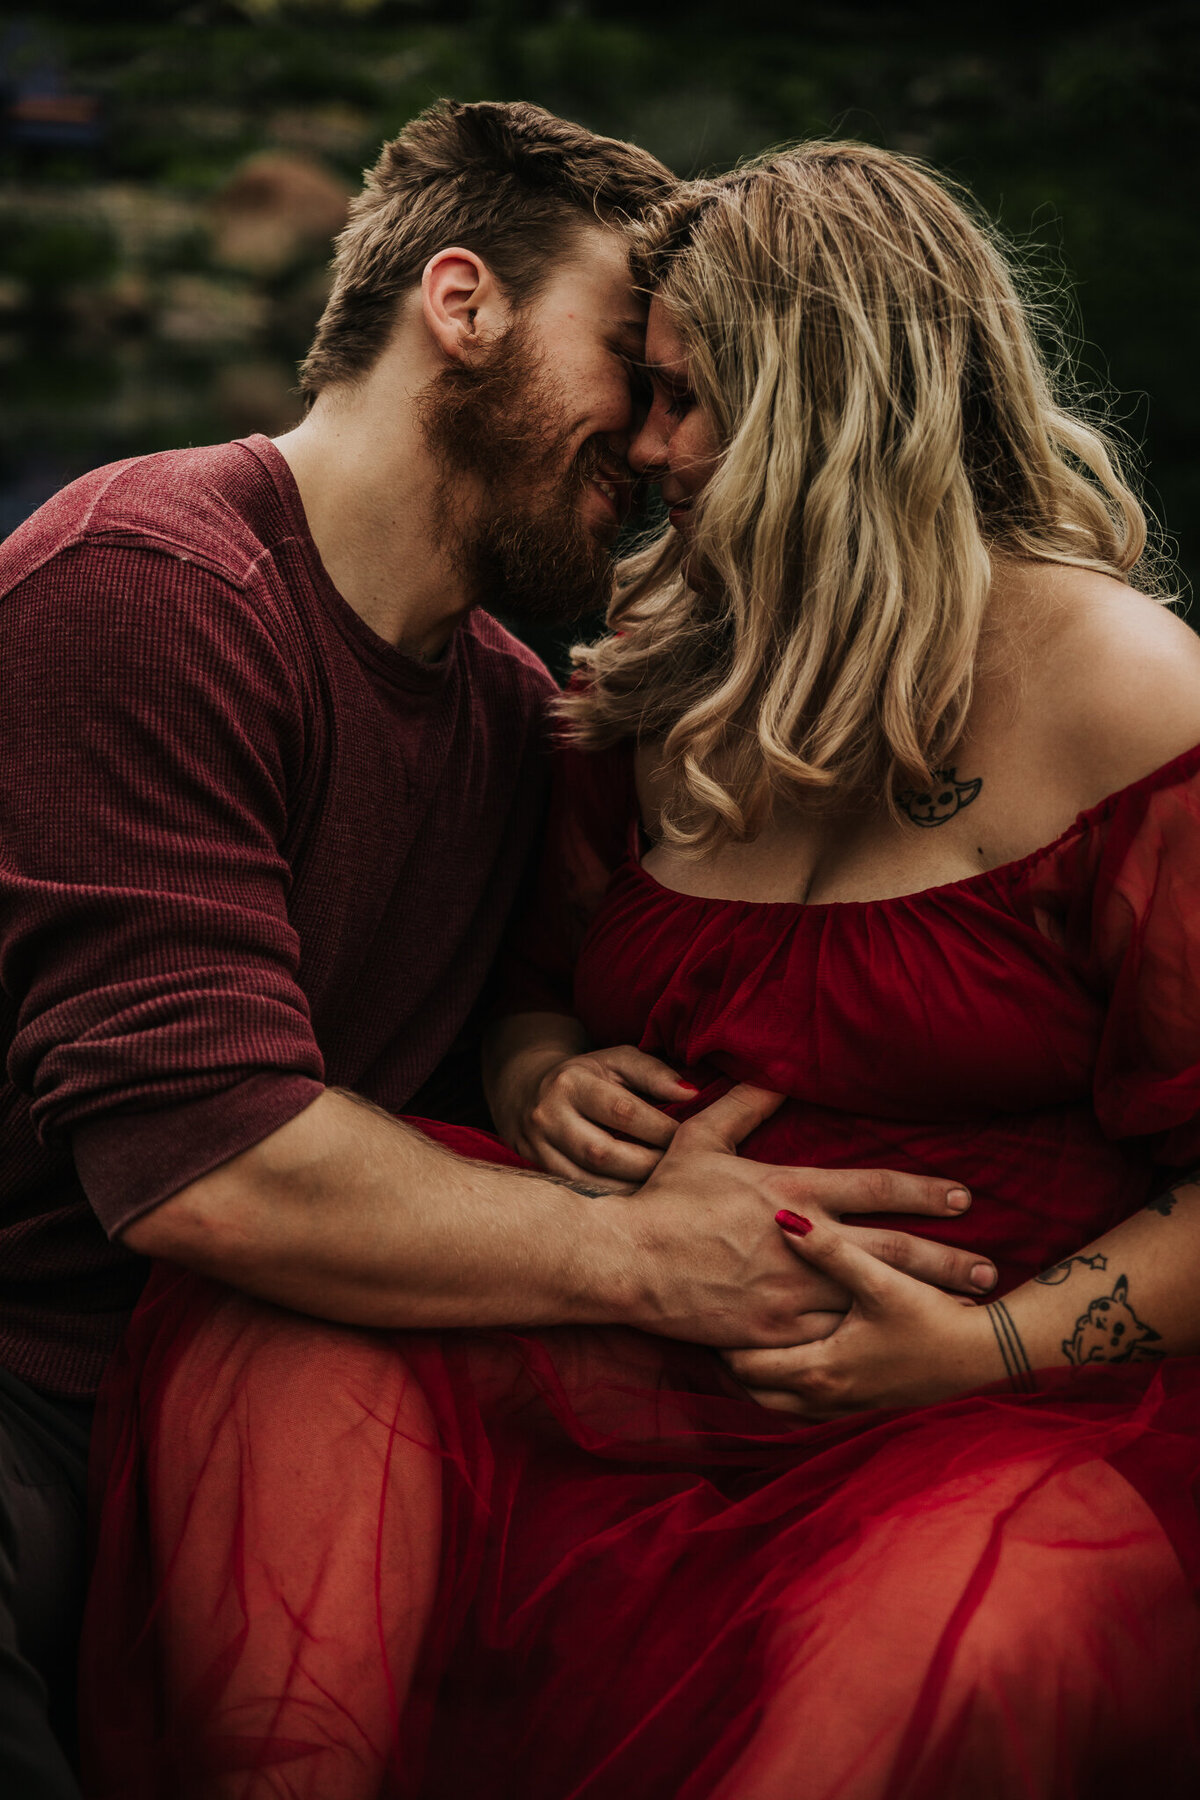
(44, 1464)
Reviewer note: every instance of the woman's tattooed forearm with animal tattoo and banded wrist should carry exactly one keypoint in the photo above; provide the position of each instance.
(1131, 1297)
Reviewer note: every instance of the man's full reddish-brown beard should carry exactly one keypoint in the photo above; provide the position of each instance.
(526, 550)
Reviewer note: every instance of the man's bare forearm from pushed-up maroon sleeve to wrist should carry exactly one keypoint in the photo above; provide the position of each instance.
(354, 1216)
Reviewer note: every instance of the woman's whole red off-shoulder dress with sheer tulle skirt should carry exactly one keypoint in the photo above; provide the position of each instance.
(578, 1563)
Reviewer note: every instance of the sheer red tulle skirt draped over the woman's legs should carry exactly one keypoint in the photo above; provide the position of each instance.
(578, 1563)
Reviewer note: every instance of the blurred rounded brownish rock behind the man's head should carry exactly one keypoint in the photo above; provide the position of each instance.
(278, 211)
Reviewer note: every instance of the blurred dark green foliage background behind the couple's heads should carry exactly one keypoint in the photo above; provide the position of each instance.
(1075, 130)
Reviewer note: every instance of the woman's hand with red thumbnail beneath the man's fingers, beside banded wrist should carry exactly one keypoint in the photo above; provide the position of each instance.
(900, 1344)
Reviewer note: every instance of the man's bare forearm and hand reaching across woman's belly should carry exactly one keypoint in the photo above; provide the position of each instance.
(348, 1214)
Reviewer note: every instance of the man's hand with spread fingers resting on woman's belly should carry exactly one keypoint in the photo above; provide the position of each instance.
(712, 1266)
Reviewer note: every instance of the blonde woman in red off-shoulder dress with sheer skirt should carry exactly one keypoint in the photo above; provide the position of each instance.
(882, 795)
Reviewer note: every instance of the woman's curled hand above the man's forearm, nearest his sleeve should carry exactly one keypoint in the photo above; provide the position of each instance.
(584, 1110)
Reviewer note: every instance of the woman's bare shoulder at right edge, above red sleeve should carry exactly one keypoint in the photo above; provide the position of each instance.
(1115, 679)
